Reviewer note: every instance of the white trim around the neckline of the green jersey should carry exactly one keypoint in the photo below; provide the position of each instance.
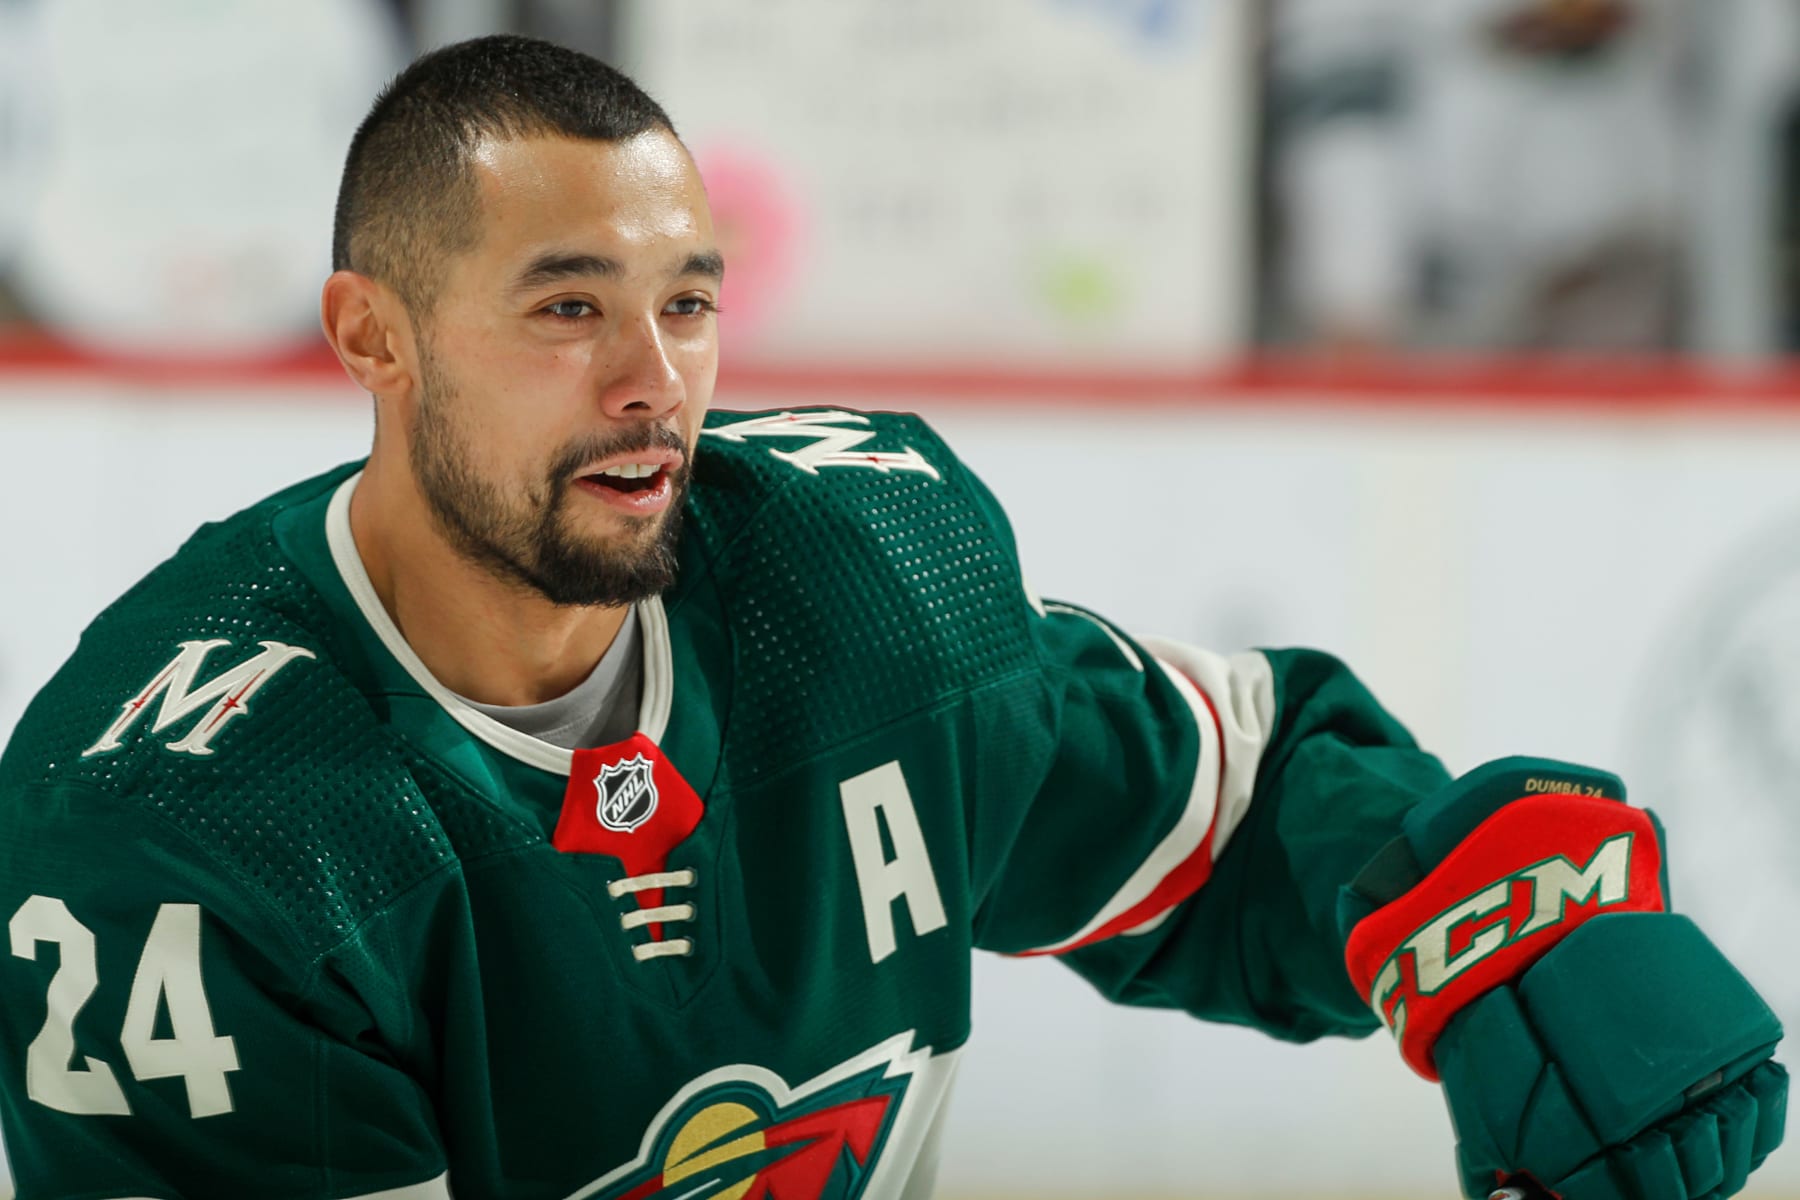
(660, 670)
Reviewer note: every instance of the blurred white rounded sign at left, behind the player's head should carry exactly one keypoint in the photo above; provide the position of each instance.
(168, 170)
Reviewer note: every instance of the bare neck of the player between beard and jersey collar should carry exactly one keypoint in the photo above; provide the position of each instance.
(480, 636)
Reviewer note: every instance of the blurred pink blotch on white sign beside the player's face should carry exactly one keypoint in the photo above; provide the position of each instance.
(759, 226)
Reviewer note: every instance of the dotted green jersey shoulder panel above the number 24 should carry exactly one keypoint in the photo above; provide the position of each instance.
(206, 710)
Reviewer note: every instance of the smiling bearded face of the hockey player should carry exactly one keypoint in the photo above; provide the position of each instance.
(568, 364)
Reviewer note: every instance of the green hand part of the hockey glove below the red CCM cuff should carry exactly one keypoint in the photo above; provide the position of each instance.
(1630, 1064)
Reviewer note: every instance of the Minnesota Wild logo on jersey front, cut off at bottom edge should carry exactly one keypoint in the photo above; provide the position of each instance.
(742, 1134)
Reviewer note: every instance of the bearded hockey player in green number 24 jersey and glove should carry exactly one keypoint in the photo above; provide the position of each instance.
(591, 798)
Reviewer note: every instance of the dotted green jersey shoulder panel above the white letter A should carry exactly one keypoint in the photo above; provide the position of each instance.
(859, 544)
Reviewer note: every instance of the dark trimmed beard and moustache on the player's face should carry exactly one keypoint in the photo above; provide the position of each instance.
(532, 544)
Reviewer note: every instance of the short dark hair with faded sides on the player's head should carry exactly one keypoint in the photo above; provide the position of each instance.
(409, 199)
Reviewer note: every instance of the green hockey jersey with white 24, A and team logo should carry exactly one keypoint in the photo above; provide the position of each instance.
(289, 920)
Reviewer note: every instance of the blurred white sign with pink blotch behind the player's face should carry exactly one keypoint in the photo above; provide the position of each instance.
(1003, 183)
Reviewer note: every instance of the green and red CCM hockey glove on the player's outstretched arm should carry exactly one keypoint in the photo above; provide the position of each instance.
(1516, 940)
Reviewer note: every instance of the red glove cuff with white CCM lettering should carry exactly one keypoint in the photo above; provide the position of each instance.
(1497, 904)
